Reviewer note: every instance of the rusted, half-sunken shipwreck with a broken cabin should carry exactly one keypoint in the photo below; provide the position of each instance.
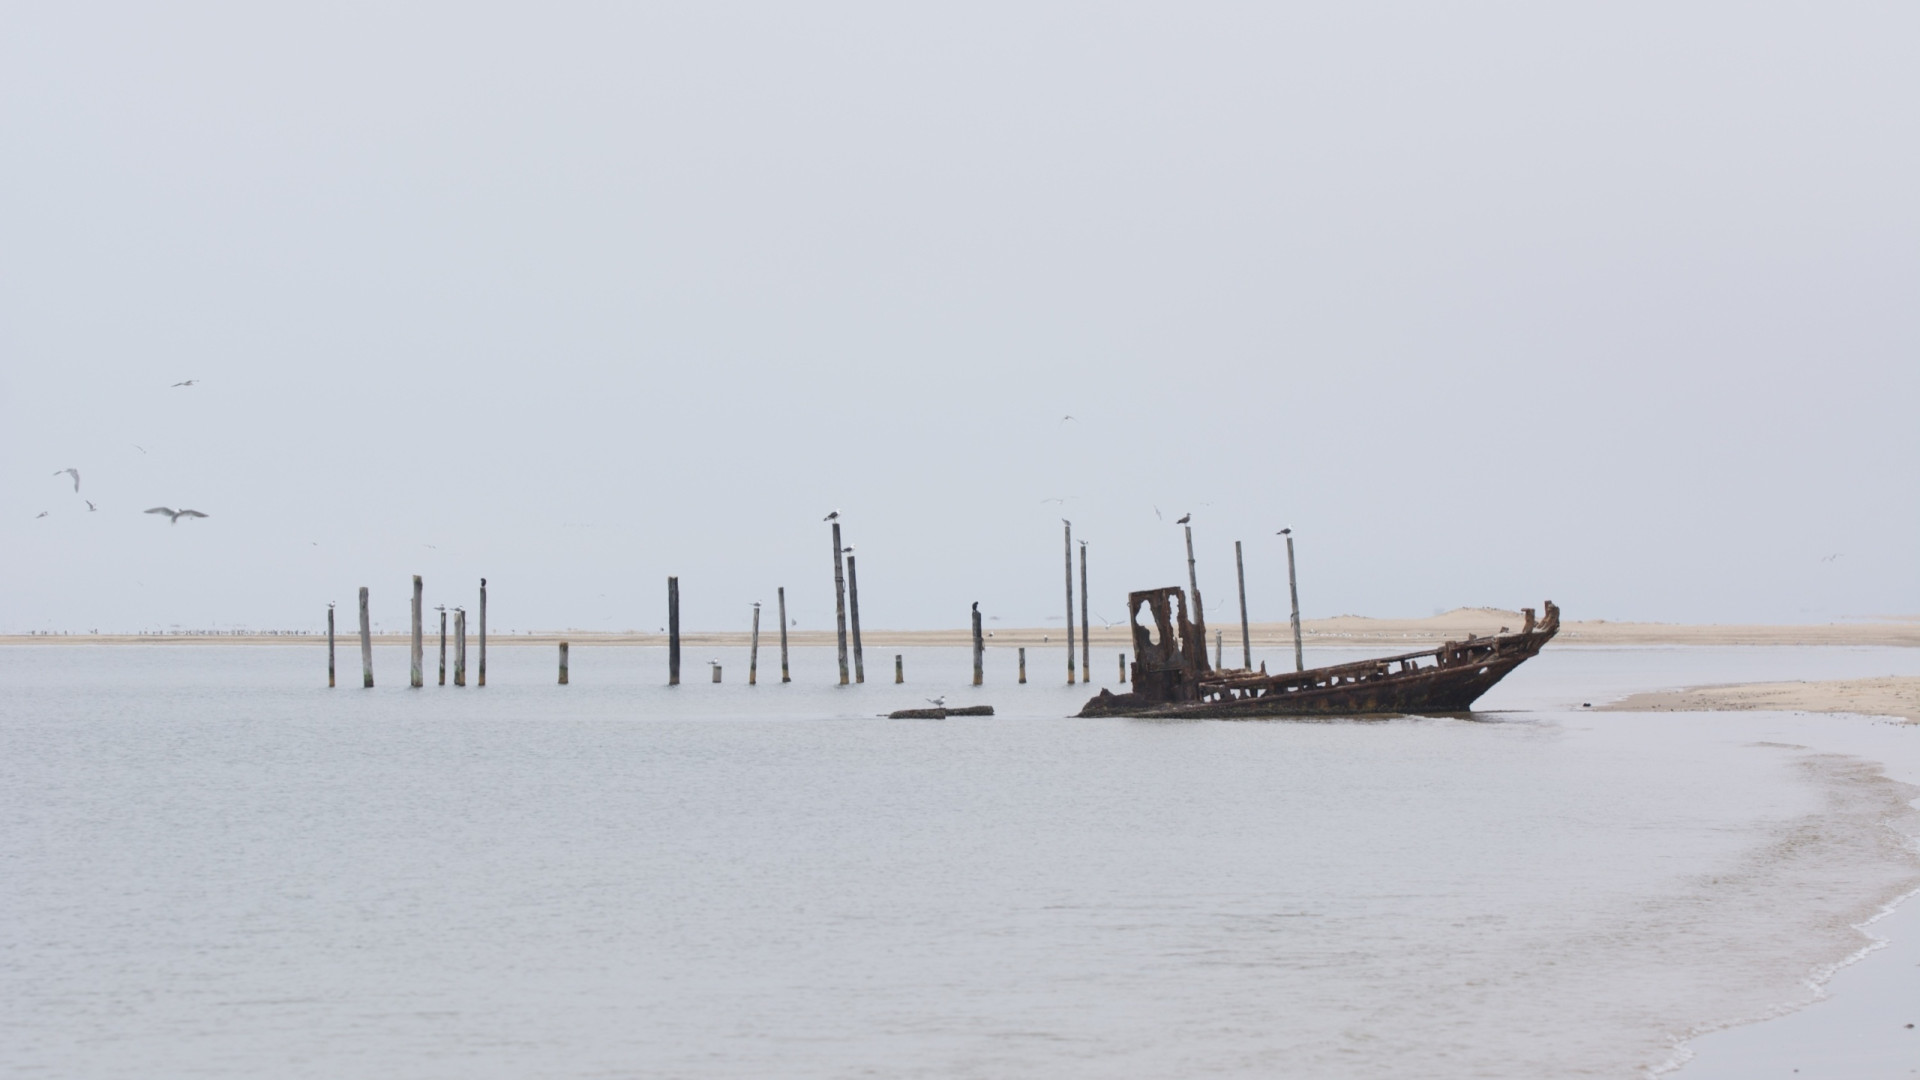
(1172, 675)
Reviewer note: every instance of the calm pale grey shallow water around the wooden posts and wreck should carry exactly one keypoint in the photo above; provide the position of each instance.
(218, 868)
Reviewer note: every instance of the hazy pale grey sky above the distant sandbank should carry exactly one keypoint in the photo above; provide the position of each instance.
(1612, 305)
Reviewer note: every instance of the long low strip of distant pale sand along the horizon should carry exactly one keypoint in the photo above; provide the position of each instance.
(1404, 635)
